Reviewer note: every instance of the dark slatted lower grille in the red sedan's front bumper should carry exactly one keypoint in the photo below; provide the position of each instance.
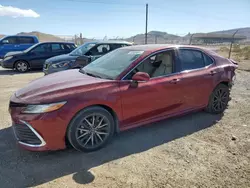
(25, 134)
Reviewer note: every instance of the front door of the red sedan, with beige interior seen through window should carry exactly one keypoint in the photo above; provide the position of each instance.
(158, 97)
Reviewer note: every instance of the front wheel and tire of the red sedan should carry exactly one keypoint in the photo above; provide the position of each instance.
(91, 129)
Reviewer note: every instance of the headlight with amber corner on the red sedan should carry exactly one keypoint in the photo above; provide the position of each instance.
(43, 108)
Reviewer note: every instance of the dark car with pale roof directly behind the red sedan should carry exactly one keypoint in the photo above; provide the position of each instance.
(81, 56)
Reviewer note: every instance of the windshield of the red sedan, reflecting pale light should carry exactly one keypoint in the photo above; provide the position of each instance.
(112, 64)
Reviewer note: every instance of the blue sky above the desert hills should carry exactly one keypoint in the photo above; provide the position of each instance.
(121, 18)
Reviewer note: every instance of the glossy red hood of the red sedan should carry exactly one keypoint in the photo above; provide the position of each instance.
(57, 86)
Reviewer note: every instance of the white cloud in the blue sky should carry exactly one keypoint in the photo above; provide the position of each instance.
(17, 12)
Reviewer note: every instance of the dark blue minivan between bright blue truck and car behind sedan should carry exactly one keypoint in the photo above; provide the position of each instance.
(35, 56)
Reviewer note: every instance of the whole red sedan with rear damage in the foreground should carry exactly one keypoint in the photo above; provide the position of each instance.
(123, 89)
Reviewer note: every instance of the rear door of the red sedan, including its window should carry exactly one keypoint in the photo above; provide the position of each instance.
(197, 77)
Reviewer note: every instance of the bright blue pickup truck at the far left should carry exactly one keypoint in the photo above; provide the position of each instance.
(16, 43)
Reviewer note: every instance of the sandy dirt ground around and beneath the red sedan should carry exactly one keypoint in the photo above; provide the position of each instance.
(195, 150)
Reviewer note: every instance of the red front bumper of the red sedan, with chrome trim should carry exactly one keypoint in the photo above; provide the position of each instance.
(39, 132)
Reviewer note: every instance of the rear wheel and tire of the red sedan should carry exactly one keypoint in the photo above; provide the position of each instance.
(218, 100)
